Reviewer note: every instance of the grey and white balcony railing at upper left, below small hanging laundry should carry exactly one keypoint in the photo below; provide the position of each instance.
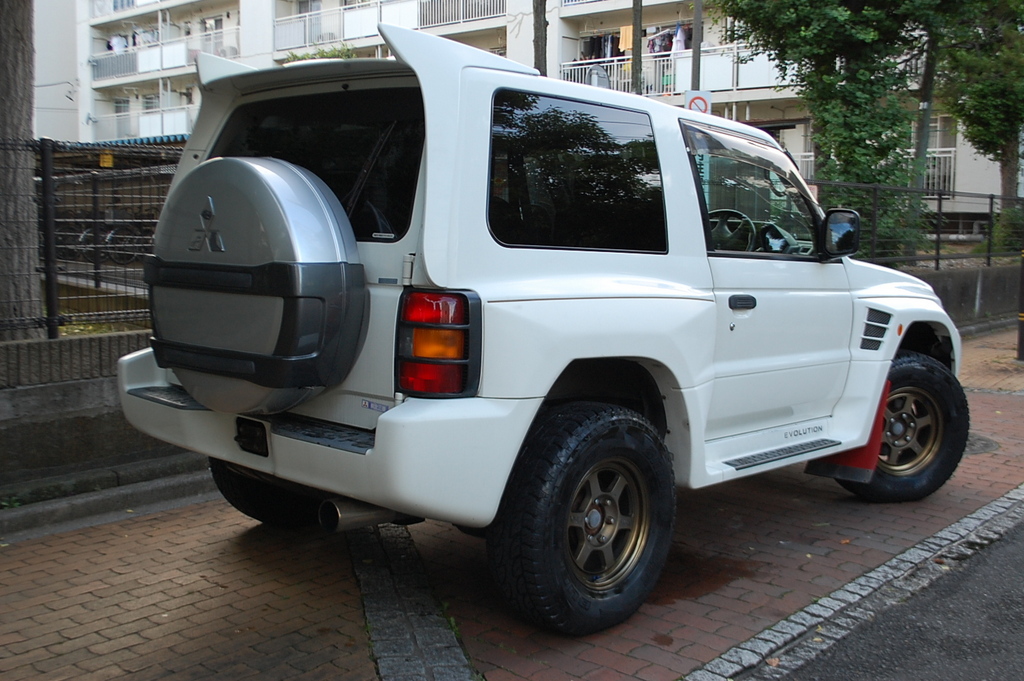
(162, 56)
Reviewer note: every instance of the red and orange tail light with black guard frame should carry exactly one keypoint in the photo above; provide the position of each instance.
(439, 345)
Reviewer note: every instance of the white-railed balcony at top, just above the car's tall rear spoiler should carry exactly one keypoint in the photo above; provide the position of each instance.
(355, 22)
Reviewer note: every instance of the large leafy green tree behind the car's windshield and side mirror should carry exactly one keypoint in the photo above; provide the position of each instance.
(850, 62)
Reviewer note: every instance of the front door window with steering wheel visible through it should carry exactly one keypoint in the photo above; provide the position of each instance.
(753, 194)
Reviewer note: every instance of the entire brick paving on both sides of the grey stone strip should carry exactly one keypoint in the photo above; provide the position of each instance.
(203, 591)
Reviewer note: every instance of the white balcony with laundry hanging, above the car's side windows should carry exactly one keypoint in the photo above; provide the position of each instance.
(722, 69)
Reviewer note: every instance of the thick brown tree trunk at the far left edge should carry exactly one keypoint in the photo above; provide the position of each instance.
(20, 291)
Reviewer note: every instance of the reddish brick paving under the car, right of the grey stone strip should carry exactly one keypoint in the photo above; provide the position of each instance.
(747, 554)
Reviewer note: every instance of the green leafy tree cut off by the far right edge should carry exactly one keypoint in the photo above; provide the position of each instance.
(983, 87)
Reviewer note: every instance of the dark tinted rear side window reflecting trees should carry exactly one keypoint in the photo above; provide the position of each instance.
(575, 176)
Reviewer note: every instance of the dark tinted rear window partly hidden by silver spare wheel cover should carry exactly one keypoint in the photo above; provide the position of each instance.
(365, 145)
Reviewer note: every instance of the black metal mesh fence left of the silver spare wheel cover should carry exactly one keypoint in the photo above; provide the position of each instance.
(95, 209)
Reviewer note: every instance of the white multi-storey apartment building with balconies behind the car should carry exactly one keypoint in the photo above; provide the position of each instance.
(124, 70)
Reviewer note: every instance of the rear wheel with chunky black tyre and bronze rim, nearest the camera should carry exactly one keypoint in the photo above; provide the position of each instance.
(586, 523)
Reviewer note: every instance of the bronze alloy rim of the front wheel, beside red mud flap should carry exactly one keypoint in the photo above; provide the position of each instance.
(914, 432)
